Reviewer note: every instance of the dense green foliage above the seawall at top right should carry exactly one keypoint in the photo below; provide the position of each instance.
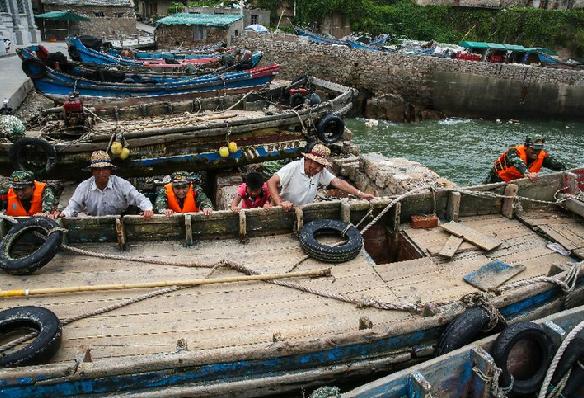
(530, 27)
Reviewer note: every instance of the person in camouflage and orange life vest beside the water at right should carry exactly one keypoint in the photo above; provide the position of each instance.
(523, 161)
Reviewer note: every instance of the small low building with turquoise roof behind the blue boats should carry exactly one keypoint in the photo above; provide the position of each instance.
(193, 30)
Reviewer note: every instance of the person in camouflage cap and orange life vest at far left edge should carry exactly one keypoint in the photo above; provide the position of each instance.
(28, 197)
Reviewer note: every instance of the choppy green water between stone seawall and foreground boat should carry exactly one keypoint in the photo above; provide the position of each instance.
(463, 150)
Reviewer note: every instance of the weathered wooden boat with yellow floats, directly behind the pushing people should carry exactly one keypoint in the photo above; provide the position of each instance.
(165, 137)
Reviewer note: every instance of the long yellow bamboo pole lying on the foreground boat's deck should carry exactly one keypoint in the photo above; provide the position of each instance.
(188, 282)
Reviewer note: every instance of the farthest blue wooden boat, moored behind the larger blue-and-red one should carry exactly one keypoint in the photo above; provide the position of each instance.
(79, 52)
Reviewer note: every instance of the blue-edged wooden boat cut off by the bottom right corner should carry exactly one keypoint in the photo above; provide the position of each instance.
(471, 371)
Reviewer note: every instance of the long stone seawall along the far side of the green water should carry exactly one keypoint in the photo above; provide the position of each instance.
(406, 87)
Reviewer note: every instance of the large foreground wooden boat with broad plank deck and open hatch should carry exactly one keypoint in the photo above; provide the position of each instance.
(382, 308)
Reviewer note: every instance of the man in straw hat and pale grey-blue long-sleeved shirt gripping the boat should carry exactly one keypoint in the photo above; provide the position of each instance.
(105, 194)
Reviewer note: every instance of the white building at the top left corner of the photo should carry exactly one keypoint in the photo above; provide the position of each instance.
(17, 23)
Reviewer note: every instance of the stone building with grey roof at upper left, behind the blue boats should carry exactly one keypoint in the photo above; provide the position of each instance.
(107, 18)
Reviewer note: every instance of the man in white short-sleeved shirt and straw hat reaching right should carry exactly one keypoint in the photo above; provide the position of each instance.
(296, 183)
